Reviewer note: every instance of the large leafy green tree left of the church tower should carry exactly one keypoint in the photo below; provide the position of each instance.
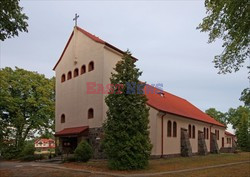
(26, 104)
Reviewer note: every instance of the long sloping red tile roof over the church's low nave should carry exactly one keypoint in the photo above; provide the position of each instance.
(170, 103)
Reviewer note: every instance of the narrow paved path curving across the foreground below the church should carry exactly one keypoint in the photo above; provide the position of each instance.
(92, 173)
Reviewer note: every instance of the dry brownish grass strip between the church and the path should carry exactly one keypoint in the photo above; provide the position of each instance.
(160, 165)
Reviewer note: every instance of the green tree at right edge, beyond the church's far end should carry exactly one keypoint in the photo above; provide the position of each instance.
(240, 119)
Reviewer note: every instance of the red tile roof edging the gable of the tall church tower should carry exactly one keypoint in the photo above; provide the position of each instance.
(93, 37)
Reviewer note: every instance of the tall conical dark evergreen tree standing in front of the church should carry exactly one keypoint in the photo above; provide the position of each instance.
(126, 142)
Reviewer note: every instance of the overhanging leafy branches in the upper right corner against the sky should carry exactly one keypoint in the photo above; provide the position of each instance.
(228, 20)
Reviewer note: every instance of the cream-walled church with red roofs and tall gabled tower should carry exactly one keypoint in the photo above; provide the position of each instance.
(177, 127)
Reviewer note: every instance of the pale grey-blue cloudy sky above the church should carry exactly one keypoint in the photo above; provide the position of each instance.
(161, 34)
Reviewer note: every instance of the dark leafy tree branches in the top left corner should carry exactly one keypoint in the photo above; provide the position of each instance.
(12, 20)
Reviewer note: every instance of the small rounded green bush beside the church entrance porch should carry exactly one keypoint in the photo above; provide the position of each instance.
(83, 152)
